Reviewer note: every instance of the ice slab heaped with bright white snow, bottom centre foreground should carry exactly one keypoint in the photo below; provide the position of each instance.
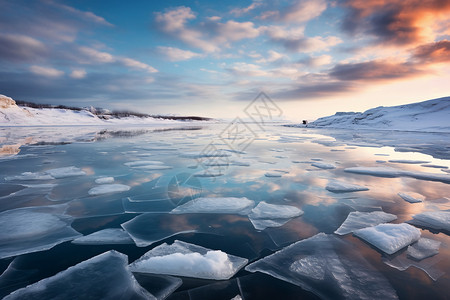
(188, 260)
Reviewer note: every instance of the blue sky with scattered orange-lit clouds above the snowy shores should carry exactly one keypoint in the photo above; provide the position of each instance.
(212, 58)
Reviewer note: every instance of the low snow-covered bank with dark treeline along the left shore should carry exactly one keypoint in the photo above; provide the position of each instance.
(13, 115)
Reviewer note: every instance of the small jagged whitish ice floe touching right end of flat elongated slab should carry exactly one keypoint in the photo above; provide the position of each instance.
(272, 215)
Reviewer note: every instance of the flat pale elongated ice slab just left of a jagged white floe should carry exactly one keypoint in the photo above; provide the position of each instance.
(225, 205)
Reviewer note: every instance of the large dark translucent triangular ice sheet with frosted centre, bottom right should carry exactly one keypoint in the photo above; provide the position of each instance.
(328, 267)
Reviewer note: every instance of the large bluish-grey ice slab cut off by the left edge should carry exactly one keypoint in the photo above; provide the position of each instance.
(27, 230)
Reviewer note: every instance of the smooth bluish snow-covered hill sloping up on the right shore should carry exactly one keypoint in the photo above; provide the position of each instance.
(431, 116)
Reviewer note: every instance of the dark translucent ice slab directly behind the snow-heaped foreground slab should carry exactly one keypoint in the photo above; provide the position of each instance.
(147, 229)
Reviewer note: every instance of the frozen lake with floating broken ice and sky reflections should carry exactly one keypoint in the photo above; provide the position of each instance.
(203, 212)
